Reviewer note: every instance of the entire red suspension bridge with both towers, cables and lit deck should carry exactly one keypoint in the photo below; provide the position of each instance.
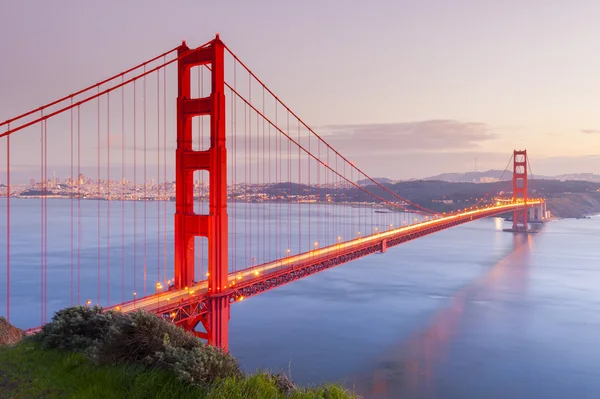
(260, 199)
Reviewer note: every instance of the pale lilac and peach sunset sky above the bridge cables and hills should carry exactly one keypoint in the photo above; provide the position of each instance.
(427, 86)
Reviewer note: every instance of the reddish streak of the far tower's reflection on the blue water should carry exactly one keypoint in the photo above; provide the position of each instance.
(409, 367)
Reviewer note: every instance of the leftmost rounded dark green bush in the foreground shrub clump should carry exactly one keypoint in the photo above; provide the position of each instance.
(78, 328)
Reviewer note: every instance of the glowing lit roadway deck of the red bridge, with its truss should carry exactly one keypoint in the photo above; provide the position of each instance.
(181, 305)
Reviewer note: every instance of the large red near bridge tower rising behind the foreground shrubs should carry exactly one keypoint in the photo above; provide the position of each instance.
(188, 224)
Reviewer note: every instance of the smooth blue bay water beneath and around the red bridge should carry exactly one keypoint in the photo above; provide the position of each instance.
(471, 312)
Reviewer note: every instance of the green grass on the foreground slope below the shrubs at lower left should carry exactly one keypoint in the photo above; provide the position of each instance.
(26, 371)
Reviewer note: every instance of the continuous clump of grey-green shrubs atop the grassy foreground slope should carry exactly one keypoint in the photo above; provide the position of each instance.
(137, 338)
